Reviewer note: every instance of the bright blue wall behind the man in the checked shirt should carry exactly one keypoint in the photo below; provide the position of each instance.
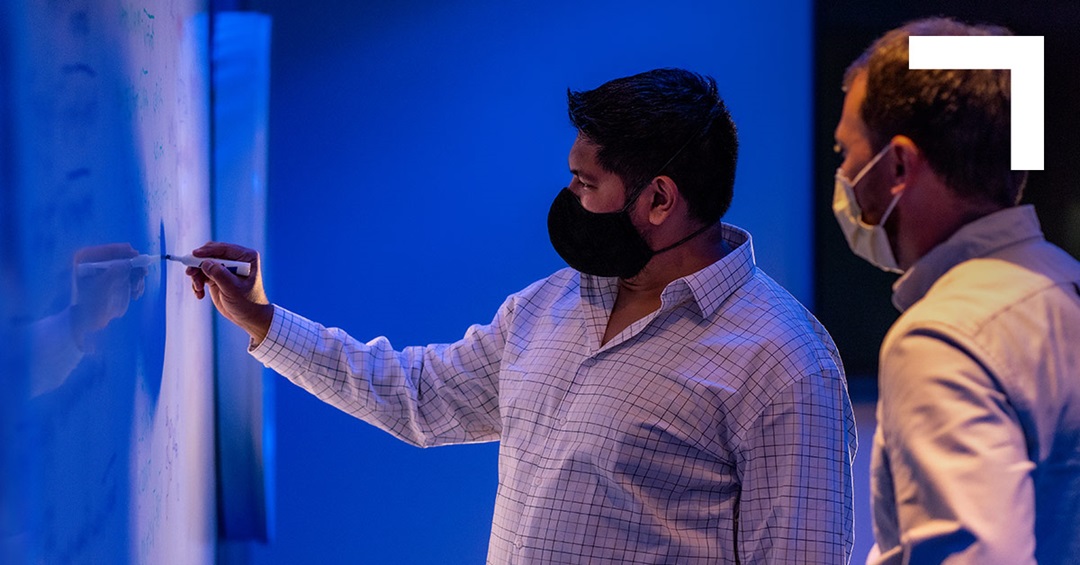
(415, 150)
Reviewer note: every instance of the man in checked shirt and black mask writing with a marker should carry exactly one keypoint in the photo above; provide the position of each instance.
(663, 400)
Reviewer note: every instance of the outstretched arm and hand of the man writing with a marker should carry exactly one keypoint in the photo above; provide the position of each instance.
(426, 396)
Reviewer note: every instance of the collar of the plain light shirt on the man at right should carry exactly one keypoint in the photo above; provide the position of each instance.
(978, 239)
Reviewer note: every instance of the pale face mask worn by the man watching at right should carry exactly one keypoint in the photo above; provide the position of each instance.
(869, 243)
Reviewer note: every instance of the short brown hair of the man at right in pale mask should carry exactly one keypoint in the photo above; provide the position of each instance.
(961, 119)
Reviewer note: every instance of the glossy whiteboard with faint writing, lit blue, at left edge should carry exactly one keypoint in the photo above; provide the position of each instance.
(109, 447)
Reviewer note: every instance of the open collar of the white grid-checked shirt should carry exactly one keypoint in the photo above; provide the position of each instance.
(708, 288)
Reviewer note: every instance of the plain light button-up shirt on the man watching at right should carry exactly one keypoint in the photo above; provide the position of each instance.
(977, 459)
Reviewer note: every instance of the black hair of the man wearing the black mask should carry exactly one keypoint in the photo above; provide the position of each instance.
(664, 123)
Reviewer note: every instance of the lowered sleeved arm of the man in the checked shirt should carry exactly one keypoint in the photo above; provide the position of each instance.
(795, 465)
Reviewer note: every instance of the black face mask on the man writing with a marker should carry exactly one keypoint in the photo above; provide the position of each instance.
(603, 245)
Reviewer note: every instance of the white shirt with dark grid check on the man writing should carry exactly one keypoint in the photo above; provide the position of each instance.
(715, 431)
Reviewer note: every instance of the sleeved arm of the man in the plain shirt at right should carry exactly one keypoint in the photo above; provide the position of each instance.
(957, 456)
